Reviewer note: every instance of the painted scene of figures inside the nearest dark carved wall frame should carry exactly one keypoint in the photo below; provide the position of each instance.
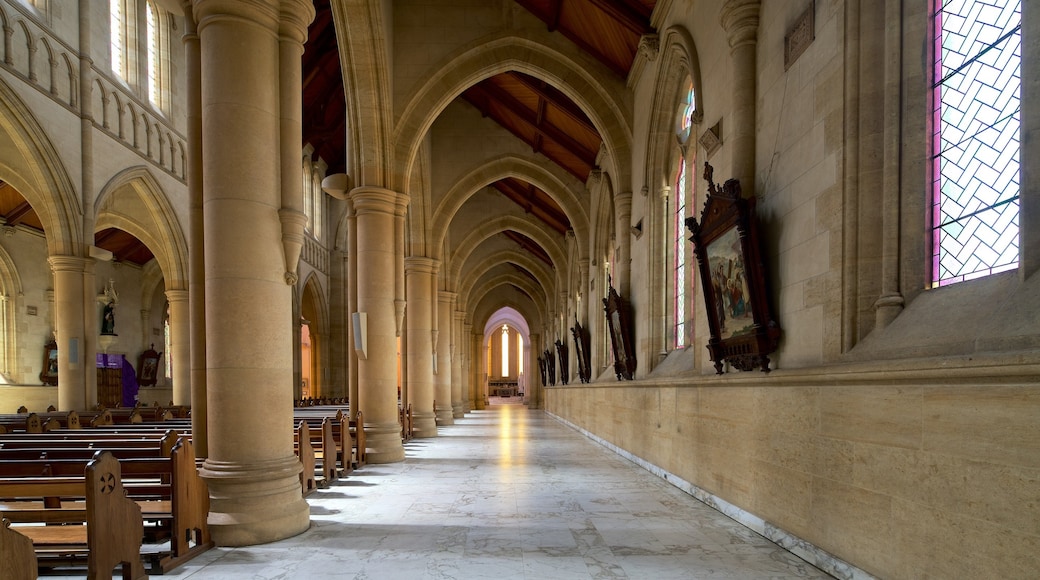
(730, 282)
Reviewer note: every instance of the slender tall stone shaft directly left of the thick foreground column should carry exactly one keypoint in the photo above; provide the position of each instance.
(197, 260)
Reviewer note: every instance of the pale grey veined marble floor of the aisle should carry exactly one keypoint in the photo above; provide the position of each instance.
(507, 493)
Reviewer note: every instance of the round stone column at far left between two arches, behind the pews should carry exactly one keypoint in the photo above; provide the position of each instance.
(71, 332)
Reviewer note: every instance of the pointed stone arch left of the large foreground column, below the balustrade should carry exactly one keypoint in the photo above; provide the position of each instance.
(135, 202)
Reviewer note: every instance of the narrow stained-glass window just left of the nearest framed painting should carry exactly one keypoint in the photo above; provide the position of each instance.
(683, 197)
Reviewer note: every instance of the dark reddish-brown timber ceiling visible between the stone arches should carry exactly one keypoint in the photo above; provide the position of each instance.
(533, 111)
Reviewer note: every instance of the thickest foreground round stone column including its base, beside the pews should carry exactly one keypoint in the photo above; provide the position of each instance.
(252, 470)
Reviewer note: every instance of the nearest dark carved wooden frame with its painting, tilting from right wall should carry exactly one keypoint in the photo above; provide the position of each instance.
(727, 246)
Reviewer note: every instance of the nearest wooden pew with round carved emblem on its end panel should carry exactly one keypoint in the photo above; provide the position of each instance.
(107, 531)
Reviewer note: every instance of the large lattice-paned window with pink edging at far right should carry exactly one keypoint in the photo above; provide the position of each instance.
(976, 117)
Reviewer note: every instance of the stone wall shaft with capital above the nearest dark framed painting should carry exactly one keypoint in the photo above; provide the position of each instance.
(740, 19)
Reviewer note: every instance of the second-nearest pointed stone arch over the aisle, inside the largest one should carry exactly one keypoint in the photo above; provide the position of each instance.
(554, 183)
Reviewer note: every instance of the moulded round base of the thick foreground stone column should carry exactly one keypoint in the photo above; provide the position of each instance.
(255, 504)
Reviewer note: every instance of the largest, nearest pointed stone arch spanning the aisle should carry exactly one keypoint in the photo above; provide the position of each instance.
(591, 90)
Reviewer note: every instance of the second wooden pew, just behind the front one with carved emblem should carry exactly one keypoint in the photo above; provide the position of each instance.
(166, 485)
